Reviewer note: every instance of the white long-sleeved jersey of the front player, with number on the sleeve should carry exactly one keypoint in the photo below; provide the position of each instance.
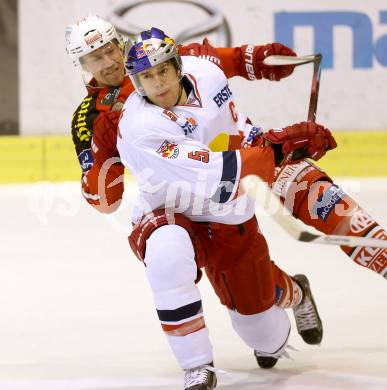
(168, 151)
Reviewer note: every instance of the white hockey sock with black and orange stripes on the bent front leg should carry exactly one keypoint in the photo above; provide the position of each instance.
(171, 271)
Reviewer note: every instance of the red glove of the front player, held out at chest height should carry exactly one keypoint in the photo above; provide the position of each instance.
(305, 139)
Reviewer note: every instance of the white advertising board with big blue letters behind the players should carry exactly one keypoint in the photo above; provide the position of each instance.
(351, 35)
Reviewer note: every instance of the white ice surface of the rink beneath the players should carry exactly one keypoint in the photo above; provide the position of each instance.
(76, 312)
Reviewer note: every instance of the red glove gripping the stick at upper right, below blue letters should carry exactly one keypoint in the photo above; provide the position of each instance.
(254, 68)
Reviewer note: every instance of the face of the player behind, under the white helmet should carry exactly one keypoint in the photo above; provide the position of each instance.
(106, 64)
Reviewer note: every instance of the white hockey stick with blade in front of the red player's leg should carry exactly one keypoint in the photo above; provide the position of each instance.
(264, 197)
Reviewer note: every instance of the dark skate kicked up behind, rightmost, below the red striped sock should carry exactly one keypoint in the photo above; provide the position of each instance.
(308, 321)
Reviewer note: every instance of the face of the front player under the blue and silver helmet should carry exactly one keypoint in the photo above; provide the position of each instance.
(161, 84)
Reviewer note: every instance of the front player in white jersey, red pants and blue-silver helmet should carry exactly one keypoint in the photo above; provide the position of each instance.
(191, 213)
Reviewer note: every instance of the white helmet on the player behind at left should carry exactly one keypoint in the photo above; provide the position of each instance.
(89, 34)
